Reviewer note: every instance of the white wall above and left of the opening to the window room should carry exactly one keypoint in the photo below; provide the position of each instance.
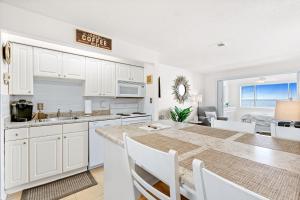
(279, 67)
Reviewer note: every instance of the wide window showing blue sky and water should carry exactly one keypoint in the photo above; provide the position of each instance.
(265, 95)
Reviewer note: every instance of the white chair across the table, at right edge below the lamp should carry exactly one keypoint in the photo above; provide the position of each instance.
(289, 133)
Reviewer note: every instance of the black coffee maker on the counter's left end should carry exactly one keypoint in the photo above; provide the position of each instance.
(21, 111)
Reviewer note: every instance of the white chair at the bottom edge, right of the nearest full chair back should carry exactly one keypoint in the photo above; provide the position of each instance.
(215, 187)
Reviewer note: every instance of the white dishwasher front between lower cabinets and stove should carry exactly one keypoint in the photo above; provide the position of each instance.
(96, 147)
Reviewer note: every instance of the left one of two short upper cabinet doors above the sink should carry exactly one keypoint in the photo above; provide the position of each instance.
(47, 63)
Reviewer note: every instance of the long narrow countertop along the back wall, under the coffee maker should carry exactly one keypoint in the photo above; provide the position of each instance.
(33, 123)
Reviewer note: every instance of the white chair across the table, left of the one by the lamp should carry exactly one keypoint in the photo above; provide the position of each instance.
(233, 125)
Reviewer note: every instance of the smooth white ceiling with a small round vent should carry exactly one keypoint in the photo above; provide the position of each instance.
(186, 33)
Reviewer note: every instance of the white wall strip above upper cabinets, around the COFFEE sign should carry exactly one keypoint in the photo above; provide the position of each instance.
(40, 27)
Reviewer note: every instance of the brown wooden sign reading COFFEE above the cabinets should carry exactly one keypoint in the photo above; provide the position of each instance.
(93, 40)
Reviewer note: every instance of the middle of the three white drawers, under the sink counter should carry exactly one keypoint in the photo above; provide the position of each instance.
(45, 131)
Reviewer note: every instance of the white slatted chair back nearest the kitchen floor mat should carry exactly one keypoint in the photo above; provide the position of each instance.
(163, 166)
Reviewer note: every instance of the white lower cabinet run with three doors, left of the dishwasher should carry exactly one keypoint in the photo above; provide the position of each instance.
(37, 154)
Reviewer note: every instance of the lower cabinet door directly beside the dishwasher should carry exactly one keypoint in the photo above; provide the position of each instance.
(75, 151)
